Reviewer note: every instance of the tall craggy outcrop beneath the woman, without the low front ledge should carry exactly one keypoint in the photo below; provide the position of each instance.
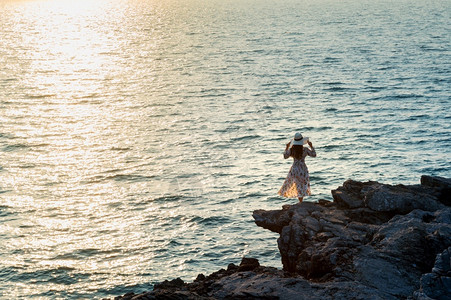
(376, 235)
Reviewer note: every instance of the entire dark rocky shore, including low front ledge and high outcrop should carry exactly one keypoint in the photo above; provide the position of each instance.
(374, 241)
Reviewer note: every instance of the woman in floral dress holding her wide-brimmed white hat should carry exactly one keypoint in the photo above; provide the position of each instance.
(297, 183)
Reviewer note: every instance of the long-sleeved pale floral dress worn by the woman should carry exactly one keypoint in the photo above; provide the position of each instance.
(297, 183)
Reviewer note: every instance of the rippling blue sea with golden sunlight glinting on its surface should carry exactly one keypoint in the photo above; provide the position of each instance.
(137, 137)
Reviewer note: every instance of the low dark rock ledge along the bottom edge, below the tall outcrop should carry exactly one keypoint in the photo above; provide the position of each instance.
(263, 283)
